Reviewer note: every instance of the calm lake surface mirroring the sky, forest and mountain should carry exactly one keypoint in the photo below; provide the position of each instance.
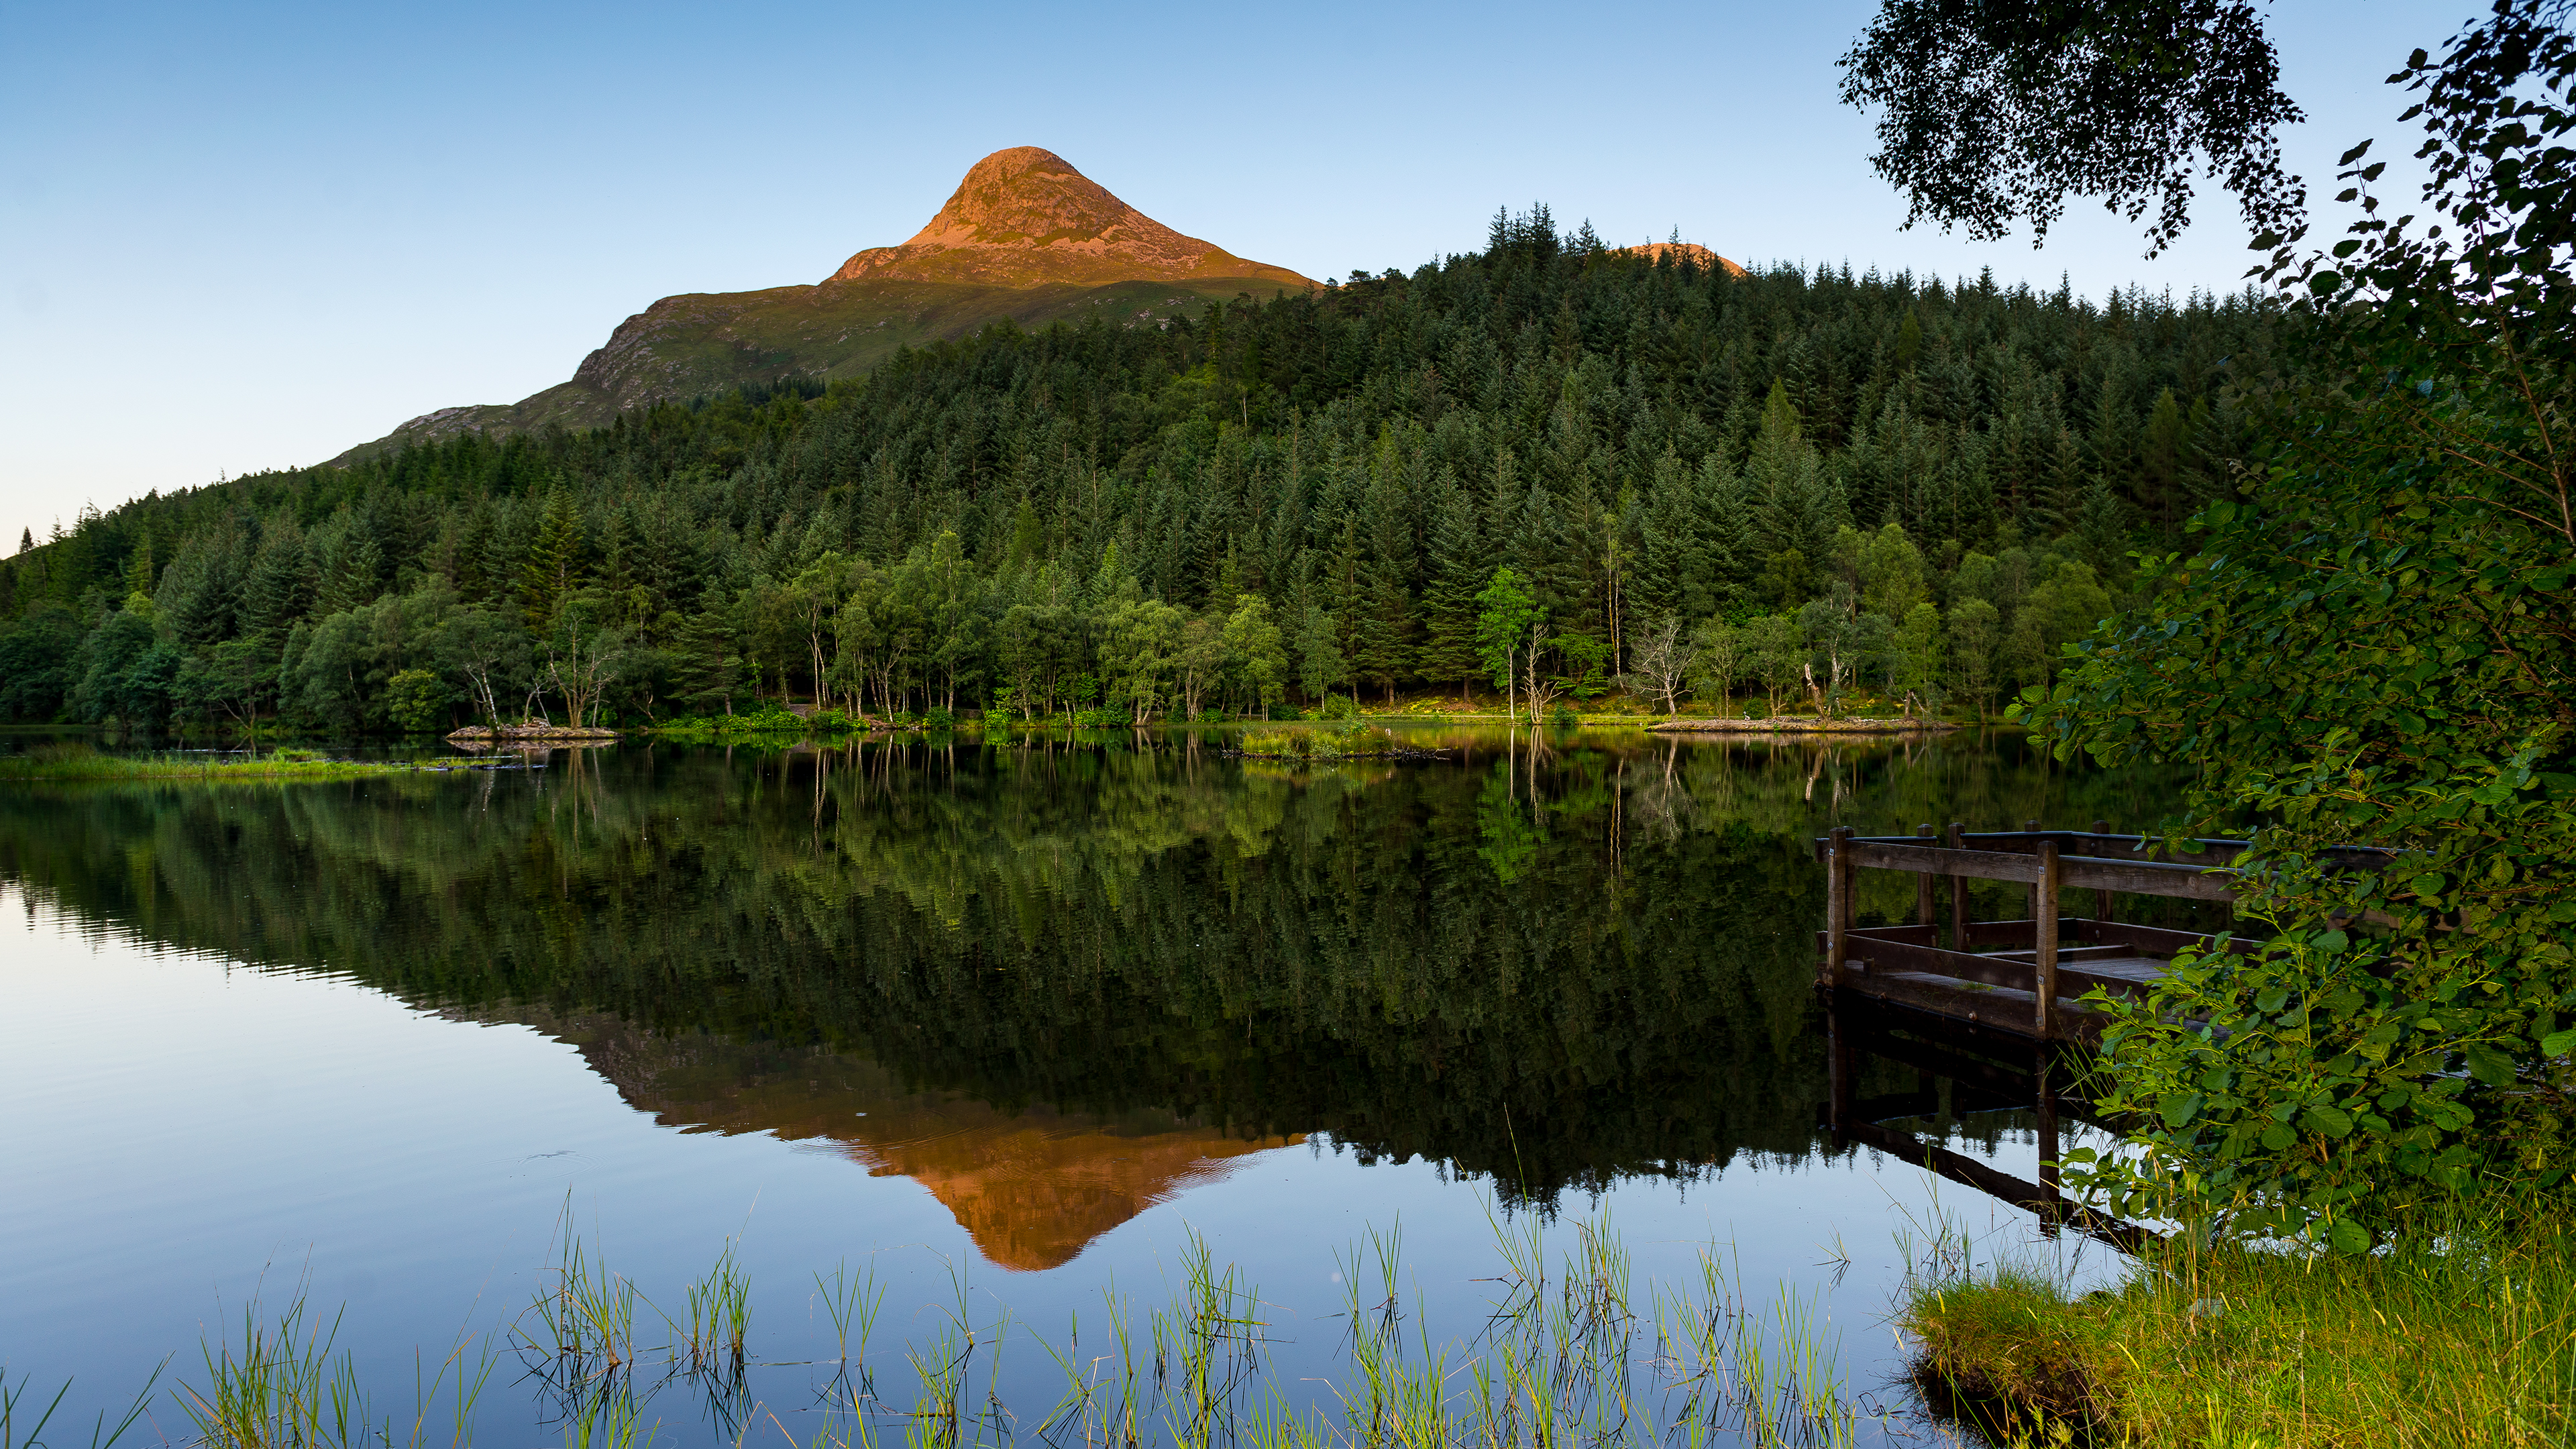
(1006, 1033)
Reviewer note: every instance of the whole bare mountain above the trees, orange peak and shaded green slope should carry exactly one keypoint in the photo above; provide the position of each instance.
(1027, 238)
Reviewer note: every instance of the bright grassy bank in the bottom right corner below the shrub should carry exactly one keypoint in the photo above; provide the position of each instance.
(2464, 1334)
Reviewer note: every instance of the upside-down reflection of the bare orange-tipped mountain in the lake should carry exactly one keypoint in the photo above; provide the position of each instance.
(1029, 1185)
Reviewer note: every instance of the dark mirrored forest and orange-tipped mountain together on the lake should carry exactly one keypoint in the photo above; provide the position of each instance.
(1068, 981)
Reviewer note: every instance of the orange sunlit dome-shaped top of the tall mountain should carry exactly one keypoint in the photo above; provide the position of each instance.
(1027, 218)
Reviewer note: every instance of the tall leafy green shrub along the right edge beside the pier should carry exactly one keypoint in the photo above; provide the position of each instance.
(2376, 646)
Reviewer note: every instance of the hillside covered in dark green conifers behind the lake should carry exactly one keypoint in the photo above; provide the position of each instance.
(1717, 483)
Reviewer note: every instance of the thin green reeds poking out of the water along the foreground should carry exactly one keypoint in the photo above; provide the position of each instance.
(1567, 1355)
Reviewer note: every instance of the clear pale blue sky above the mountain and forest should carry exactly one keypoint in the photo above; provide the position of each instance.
(251, 236)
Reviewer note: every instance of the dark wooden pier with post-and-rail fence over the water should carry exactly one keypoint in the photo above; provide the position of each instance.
(2013, 976)
